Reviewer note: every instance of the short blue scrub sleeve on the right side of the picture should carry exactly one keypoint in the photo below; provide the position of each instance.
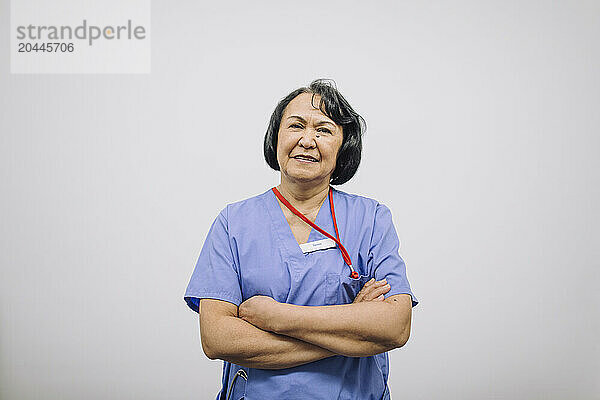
(384, 256)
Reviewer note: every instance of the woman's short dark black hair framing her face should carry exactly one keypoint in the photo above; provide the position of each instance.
(335, 106)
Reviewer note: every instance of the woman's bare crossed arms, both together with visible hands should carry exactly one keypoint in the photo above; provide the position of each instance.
(263, 333)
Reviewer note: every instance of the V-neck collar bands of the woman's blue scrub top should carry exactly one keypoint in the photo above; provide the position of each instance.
(323, 220)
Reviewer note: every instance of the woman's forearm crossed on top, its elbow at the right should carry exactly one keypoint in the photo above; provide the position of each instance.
(355, 330)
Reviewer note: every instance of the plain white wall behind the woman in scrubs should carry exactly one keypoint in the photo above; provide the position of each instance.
(482, 139)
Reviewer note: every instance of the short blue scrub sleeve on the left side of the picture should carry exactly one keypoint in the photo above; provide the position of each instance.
(215, 275)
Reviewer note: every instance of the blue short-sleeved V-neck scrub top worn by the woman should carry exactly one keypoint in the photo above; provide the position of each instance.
(250, 250)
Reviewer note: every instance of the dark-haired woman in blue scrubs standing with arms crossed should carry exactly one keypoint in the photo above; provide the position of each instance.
(301, 290)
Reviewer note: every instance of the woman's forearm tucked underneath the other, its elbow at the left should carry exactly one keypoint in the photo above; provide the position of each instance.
(248, 346)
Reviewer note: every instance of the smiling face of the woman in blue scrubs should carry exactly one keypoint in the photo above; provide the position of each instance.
(305, 131)
